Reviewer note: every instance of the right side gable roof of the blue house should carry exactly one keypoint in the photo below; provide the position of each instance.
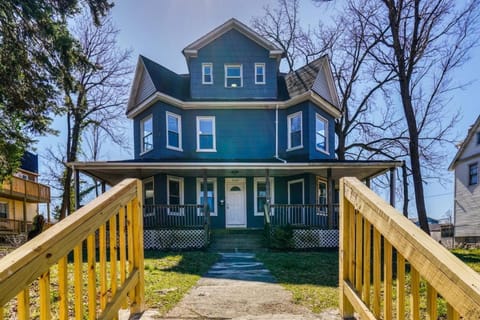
(315, 76)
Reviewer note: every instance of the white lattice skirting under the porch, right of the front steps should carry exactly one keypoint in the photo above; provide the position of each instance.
(315, 238)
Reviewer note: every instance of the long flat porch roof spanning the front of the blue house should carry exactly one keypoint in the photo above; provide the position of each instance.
(113, 172)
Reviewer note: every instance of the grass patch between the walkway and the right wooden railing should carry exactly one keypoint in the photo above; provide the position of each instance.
(312, 277)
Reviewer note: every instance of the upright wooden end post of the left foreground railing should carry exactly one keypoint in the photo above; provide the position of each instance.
(139, 305)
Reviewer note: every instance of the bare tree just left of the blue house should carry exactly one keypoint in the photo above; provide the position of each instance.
(97, 95)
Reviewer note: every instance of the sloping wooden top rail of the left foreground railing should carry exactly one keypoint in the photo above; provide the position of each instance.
(27, 263)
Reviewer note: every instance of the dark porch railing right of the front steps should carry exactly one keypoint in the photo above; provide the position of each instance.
(304, 215)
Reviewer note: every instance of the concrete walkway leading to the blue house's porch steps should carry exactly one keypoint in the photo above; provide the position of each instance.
(239, 287)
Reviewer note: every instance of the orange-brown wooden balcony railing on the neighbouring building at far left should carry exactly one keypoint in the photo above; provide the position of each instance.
(21, 188)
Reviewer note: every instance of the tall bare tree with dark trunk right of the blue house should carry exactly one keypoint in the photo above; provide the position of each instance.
(425, 42)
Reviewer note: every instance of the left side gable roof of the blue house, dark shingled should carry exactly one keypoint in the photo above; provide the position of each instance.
(163, 79)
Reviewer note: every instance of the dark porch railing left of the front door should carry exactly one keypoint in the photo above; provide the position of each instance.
(173, 216)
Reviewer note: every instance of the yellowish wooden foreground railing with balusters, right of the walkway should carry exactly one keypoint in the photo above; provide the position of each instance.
(390, 269)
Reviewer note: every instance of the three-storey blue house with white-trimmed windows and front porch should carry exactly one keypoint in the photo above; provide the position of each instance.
(216, 145)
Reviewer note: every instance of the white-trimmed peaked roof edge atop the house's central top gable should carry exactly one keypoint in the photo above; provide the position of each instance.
(192, 49)
